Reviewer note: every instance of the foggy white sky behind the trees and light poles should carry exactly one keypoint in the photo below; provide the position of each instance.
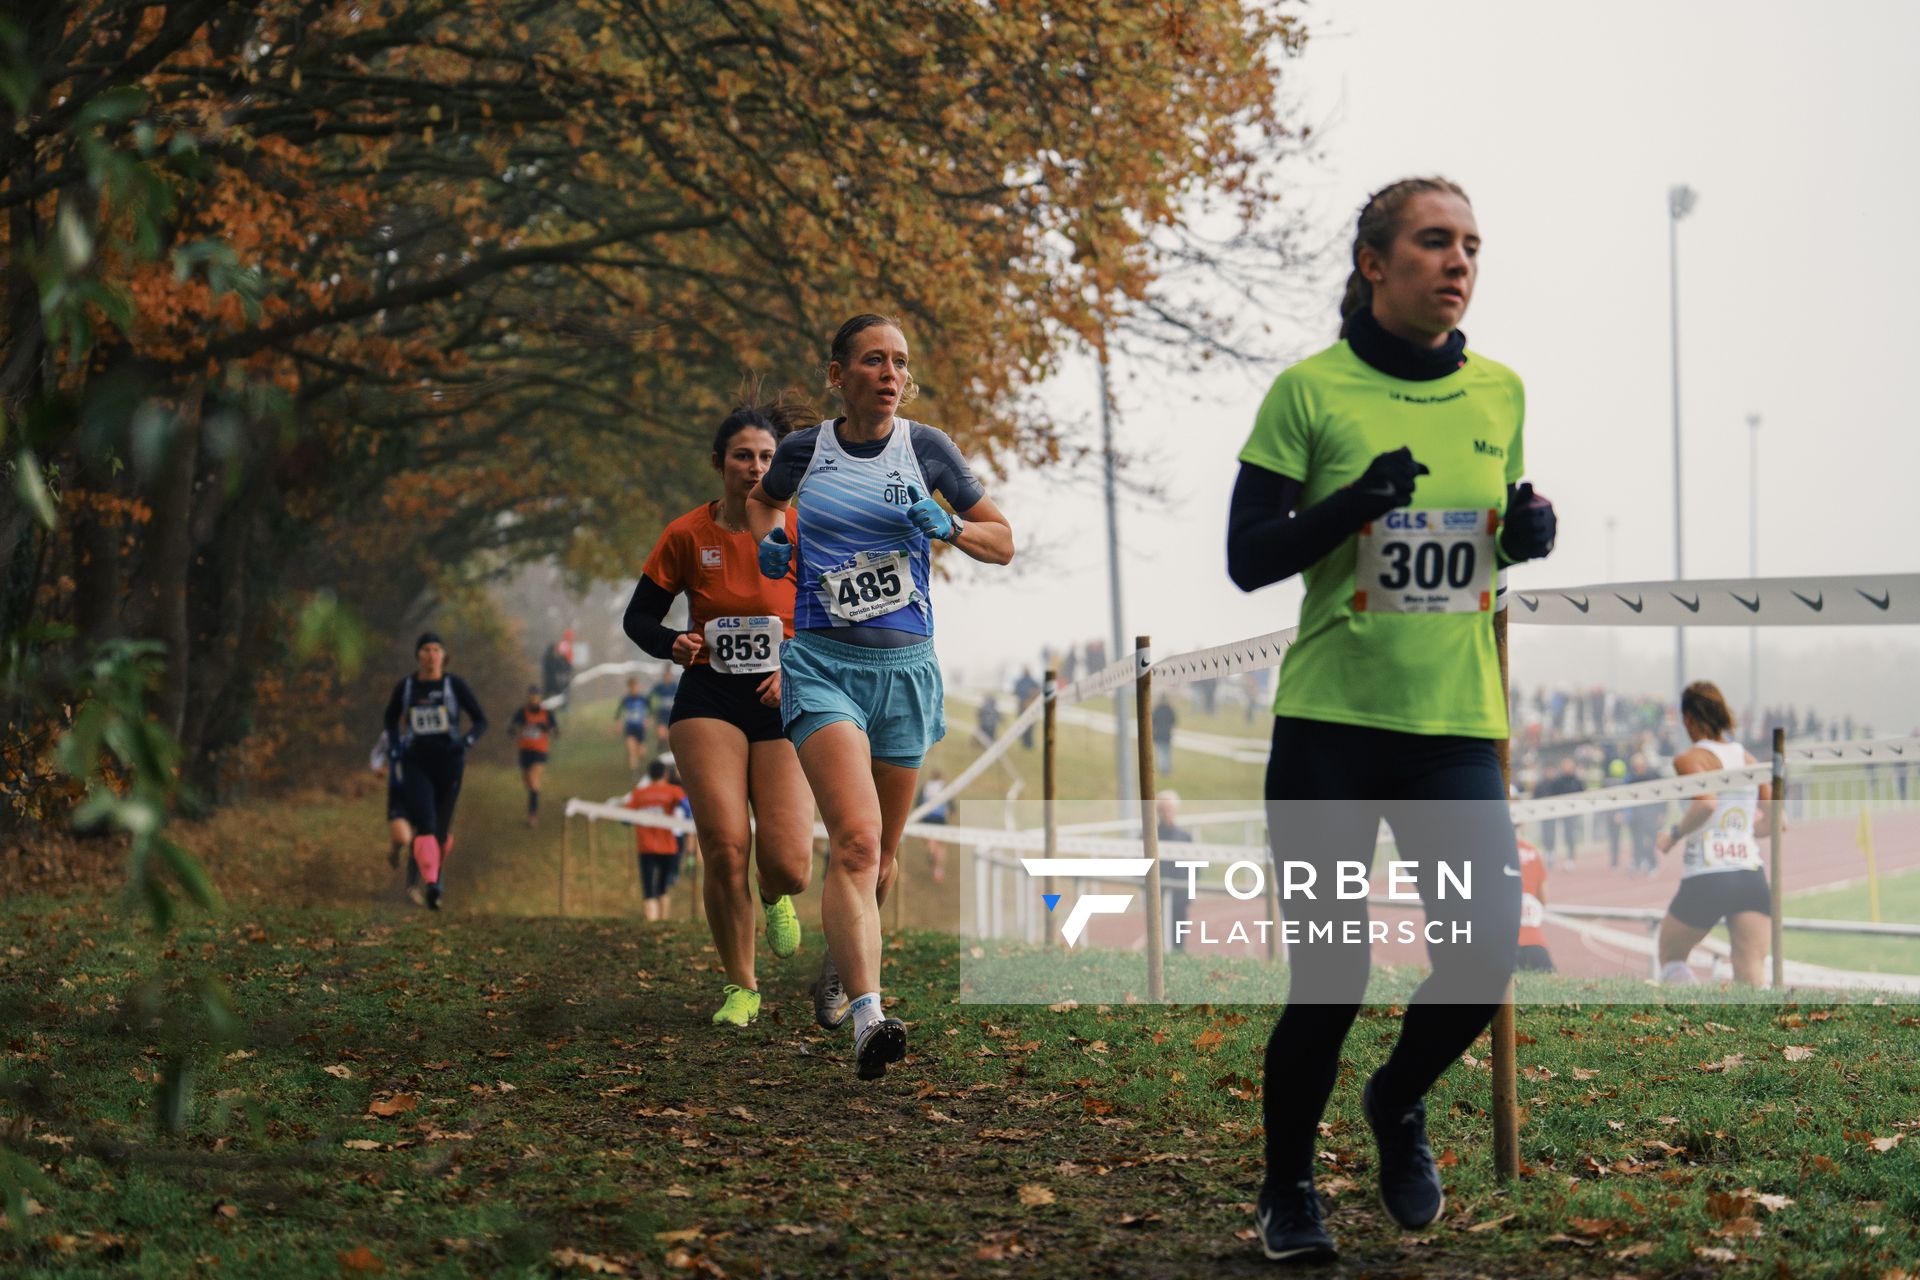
(1568, 126)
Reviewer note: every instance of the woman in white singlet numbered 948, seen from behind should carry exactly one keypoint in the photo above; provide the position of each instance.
(1721, 876)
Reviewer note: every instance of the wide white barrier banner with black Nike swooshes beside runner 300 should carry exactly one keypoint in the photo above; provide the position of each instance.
(1888, 600)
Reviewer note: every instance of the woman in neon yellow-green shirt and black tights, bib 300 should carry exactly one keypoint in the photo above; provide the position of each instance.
(1387, 471)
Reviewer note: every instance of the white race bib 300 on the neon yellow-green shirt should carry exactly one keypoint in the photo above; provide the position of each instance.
(1426, 563)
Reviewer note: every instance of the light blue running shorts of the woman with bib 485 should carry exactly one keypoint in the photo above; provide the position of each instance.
(894, 696)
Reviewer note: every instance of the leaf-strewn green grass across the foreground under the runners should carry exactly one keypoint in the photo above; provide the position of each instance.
(560, 1097)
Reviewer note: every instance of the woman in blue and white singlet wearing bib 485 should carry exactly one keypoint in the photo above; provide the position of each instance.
(861, 688)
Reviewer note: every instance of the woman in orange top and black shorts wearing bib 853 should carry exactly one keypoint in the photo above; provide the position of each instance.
(725, 724)
